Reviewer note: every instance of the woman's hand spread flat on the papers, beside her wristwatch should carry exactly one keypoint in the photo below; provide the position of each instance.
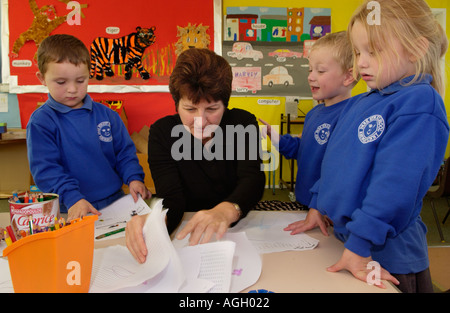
(205, 223)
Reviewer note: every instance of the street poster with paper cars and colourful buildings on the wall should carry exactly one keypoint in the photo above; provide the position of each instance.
(268, 48)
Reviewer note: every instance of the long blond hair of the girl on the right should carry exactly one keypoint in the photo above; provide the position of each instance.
(412, 23)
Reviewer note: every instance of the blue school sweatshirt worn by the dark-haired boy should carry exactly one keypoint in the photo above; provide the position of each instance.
(83, 153)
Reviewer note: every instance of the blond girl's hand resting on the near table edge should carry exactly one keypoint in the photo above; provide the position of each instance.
(357, 265)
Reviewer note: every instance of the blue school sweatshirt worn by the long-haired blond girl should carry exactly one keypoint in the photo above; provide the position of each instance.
(381, 159)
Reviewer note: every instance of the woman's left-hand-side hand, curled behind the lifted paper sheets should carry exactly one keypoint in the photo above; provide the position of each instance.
(135, 237)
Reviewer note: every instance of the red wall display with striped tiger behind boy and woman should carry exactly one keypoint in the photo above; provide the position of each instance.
(165, 28)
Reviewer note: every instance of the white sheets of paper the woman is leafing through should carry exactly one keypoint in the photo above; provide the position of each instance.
(230, 265)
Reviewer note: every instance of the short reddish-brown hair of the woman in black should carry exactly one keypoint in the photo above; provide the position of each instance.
(201, 74)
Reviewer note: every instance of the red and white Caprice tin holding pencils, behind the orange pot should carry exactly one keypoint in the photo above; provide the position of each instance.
(43, 211)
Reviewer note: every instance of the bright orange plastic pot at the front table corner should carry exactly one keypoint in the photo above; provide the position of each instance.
(54, 261)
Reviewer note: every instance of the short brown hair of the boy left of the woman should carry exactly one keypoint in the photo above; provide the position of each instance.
(60, 48)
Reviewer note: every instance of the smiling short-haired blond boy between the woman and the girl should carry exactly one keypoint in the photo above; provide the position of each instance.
(331, 81)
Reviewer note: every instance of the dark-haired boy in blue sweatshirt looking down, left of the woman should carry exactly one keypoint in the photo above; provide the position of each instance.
(77, 148)
